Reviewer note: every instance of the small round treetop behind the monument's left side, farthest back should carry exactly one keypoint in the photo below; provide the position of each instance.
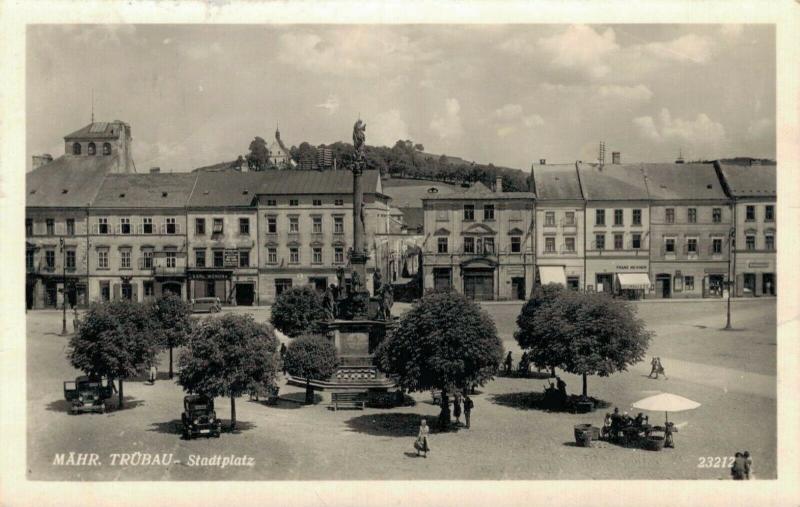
(297, 311)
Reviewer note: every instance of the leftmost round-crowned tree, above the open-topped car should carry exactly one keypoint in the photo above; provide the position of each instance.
(116, 339)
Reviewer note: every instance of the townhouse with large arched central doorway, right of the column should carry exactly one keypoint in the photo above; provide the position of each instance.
(480, 242)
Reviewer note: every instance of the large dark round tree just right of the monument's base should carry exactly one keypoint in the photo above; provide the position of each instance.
(444, 341)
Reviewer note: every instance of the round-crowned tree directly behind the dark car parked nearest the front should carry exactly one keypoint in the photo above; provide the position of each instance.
(227, 356)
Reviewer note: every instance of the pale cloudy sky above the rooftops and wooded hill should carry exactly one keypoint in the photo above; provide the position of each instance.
(507, 94)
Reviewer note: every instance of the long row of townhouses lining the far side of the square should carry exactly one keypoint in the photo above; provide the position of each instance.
(95, 230)
